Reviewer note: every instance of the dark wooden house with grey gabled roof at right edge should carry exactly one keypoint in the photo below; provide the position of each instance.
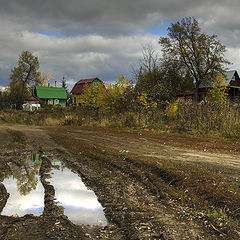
(232, 81)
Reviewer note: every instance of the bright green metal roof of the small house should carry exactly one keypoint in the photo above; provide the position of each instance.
(51, 92)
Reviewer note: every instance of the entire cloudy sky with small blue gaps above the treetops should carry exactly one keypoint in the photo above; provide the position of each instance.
(103, 38)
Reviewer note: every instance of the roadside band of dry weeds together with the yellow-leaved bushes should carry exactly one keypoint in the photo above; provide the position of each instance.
(204, 118)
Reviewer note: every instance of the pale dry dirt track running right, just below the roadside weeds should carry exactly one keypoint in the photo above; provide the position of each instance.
(152, 146)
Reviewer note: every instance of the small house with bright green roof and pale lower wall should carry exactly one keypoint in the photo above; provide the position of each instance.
(51, 95)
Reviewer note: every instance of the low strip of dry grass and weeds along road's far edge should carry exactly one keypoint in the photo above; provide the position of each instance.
(200, 119)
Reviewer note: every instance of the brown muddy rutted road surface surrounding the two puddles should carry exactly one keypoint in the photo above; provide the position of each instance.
(129, 194)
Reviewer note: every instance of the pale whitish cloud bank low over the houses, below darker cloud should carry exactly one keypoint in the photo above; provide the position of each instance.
(78, 57)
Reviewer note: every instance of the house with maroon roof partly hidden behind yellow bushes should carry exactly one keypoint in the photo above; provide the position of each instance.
(79, 88)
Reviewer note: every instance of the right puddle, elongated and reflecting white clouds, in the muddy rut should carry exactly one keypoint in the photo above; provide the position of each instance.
(80, 204)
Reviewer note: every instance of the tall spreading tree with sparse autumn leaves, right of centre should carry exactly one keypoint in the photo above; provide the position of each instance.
(199, 54)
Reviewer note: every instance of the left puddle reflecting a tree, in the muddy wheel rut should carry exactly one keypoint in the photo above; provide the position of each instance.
(25, 189)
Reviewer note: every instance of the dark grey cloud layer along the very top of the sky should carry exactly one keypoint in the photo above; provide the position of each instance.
(109, 16)
